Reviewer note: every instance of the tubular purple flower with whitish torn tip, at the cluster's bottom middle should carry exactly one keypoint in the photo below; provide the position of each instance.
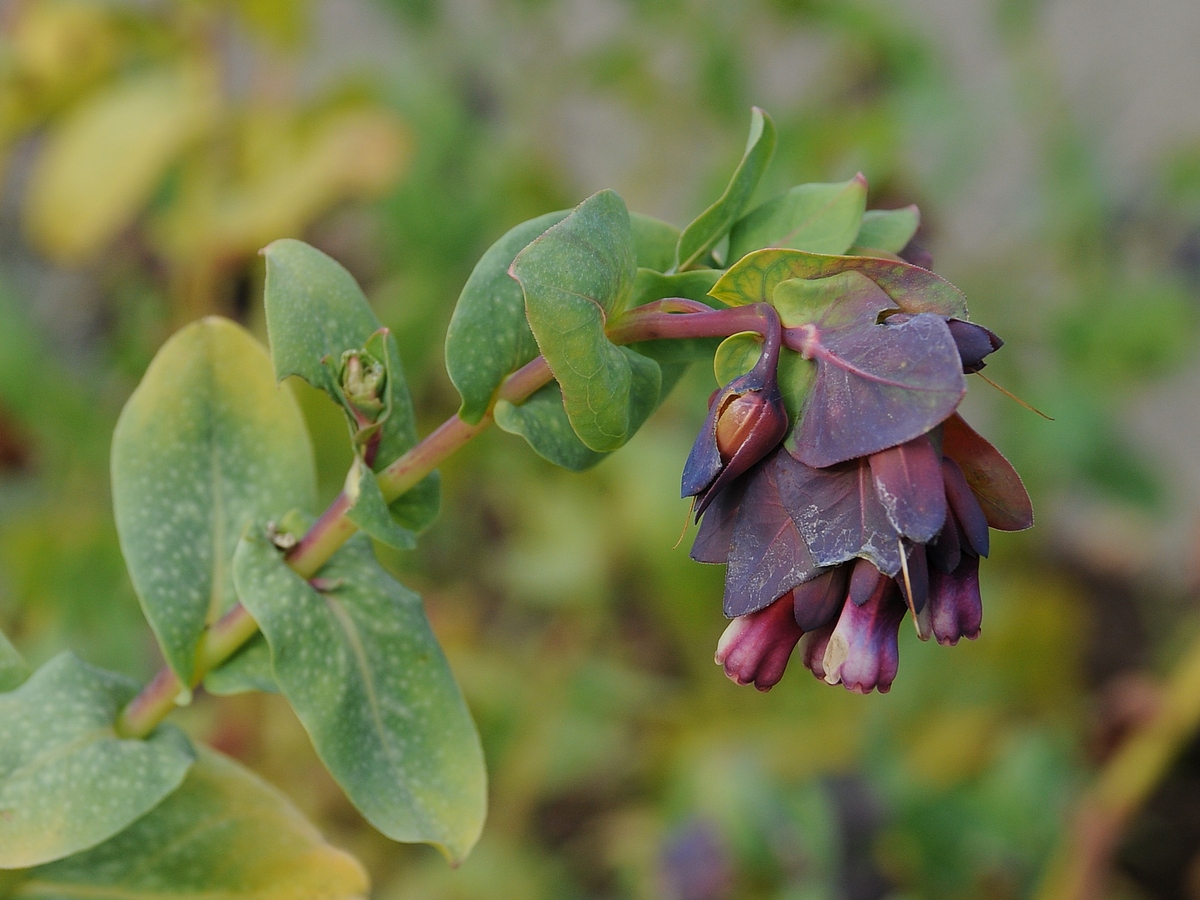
(863, 650)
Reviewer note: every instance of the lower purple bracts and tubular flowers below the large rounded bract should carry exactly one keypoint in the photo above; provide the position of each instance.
(850, 550)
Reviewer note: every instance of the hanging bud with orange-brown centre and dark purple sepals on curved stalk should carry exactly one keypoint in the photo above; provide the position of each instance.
(747, 421)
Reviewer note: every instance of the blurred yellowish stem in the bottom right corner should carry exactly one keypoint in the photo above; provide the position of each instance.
(1079, 871)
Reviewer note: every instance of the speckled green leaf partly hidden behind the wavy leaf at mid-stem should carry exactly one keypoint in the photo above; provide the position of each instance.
(489, 337)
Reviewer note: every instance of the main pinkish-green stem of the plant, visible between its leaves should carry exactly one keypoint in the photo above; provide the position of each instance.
(663, 320)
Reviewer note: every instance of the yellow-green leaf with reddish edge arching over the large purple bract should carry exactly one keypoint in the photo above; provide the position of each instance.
(754, 279)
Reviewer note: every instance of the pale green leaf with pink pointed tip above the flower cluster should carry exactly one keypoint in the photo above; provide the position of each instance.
(819, 219)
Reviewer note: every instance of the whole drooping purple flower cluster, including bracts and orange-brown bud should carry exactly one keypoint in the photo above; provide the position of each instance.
(837, 547)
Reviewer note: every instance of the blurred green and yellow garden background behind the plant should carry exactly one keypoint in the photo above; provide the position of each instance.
(149, 149)
